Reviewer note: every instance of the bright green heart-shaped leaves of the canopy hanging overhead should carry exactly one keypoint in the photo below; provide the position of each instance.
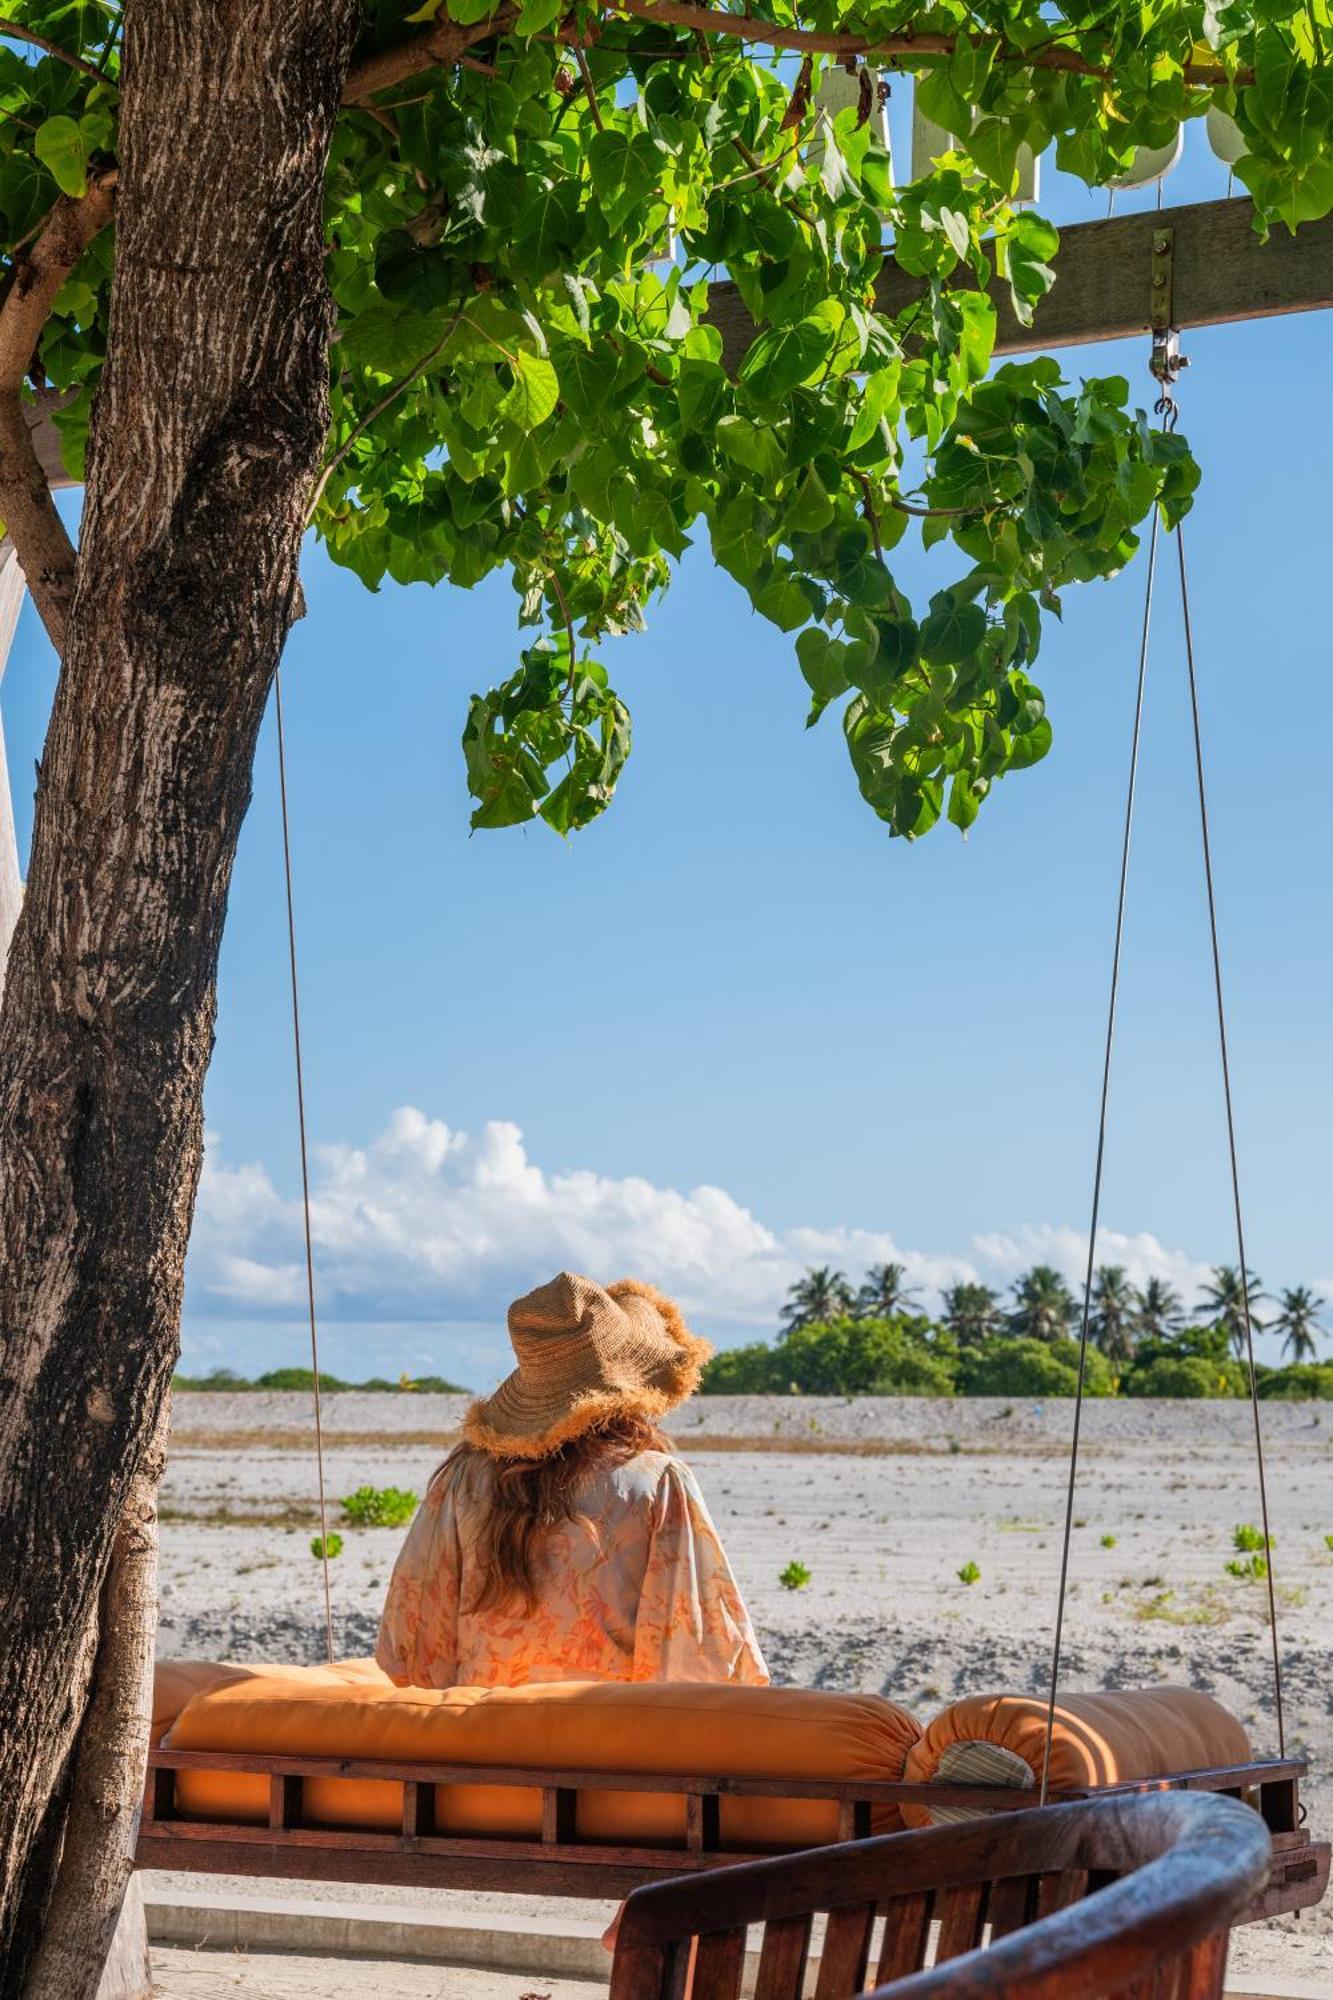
(525, 377)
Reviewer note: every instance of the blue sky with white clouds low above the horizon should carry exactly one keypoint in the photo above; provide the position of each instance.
(738, 983)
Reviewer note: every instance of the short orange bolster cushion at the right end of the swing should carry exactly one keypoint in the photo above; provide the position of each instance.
(1098, 1739)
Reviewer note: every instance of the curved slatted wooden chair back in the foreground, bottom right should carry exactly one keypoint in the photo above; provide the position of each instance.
(1180, 1867)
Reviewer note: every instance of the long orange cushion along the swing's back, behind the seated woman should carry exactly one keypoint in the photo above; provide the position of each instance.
(668, 1729)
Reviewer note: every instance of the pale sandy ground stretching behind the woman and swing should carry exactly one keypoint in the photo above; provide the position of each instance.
(884, 1501)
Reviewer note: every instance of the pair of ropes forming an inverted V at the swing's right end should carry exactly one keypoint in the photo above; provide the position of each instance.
(1168, 411)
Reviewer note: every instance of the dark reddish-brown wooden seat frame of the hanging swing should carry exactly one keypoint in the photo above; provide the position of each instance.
(565, 1865)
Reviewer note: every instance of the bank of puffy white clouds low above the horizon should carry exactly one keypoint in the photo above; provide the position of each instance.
(439, 1227)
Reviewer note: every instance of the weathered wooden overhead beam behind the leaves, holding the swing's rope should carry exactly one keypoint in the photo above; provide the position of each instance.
(1106, 275)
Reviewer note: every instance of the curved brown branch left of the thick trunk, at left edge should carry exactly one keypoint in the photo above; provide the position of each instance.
(27, 509)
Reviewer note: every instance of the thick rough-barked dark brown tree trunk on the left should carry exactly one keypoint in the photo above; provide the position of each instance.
(207, 435)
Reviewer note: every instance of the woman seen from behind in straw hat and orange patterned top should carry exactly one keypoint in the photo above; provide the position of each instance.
(563, 1541)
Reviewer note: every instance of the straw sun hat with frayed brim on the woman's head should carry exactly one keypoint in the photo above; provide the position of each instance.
(585, 1355)
